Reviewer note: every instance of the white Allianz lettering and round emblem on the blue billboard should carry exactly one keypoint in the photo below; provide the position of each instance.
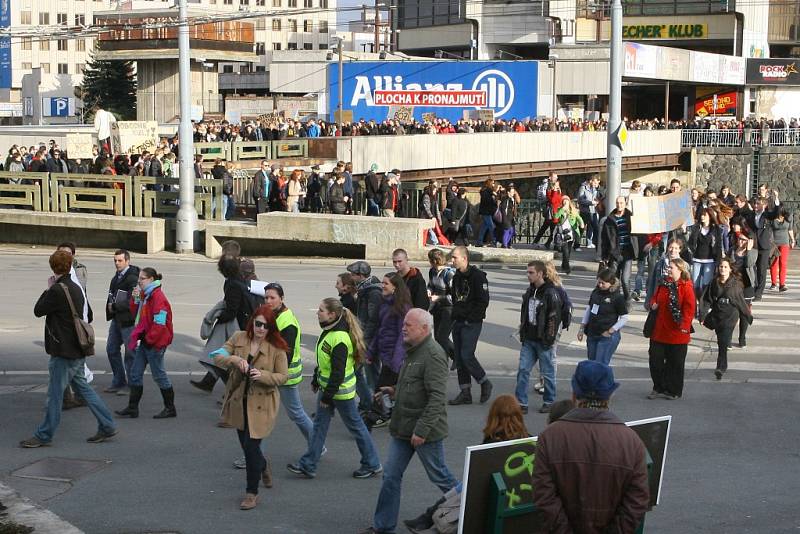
(496, 84)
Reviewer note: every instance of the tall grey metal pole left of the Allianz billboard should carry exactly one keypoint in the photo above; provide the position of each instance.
(187, 214)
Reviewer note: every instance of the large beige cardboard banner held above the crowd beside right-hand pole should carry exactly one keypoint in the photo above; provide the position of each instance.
(651, 215)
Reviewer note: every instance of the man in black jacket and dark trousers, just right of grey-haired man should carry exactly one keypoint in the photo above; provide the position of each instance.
(470, 295)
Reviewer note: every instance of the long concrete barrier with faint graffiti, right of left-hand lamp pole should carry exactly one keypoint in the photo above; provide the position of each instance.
(320, 234)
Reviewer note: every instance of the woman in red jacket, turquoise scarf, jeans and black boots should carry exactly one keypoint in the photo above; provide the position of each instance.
(151, 336)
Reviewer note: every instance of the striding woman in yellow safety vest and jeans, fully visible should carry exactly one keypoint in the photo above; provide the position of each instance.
(340, 350)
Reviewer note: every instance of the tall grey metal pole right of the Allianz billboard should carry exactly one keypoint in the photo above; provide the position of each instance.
(614, 161)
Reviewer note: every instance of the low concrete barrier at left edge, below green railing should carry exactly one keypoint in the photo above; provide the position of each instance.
(89, 230)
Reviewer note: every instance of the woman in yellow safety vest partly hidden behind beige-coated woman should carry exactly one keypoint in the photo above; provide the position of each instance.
(290, 332)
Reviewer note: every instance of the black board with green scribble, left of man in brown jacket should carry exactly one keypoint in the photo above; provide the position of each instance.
(514, 461)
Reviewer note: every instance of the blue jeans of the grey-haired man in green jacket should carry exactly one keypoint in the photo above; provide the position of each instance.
(400, 452)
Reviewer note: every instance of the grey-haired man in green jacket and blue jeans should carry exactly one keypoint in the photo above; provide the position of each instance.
(419, 418)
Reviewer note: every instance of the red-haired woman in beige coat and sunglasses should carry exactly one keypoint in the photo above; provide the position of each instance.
(256, 359)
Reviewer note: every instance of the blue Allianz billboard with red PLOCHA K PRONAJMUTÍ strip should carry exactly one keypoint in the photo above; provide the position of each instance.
(373, 89)
